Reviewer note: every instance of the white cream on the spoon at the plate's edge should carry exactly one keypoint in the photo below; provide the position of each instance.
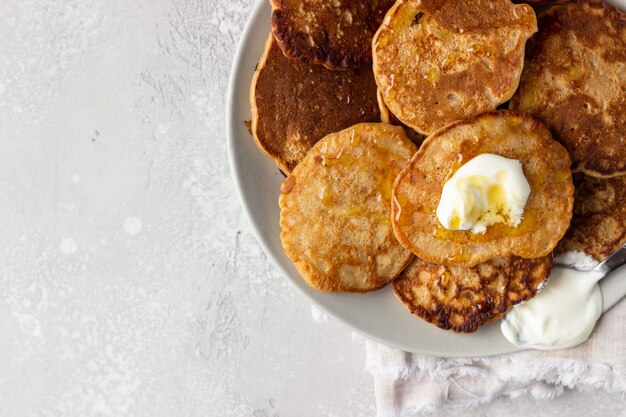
(562, 315)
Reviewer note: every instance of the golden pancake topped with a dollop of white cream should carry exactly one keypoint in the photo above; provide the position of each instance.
(417, 191)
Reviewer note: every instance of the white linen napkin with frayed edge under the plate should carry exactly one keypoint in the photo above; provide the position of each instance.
(408, 384)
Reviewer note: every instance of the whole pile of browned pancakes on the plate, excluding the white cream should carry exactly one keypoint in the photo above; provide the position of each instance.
(369, 107)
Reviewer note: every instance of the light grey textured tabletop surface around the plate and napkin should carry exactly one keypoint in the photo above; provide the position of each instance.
(130, 283)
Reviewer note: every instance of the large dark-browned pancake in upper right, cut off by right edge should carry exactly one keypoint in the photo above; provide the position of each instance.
(574, 81)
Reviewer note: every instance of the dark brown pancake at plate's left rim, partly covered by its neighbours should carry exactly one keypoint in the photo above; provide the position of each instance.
(294, 104)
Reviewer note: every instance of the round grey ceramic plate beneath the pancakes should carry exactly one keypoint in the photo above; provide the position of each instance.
(376, 315)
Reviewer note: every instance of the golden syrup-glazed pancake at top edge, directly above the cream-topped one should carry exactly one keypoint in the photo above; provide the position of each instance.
(437, 61)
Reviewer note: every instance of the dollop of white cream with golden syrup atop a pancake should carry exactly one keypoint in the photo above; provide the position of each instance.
(488, 189)
